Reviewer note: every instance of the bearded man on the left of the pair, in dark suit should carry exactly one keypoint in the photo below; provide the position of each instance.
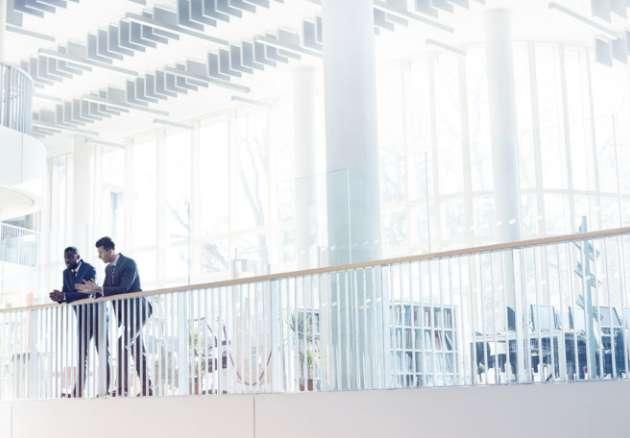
(78, 271)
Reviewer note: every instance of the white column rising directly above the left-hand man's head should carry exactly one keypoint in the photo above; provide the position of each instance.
(83, 159)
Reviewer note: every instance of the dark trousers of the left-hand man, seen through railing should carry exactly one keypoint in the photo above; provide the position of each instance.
(88, 329)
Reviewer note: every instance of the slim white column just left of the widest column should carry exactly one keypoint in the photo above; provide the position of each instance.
(304, 144)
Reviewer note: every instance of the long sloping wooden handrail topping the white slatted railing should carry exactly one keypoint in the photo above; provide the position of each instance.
(519, 244)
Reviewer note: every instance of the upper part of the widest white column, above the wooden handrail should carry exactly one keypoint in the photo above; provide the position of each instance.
(351, 131)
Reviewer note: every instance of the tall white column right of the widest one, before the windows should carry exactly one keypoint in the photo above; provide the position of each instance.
(503, 123)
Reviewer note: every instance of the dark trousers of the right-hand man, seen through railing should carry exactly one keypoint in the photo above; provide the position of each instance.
(132, 316)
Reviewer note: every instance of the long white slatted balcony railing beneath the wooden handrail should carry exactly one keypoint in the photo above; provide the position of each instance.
(548, 310)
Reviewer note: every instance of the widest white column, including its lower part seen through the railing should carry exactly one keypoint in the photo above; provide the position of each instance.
(352, 192)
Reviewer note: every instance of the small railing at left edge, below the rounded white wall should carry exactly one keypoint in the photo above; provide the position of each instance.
(18, 245)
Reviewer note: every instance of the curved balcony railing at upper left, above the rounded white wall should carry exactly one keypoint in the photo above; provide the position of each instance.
(16, 95)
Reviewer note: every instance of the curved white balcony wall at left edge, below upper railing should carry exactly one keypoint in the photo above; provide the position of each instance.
(22, 173)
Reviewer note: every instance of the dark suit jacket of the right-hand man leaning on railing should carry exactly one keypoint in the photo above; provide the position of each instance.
(123, 278)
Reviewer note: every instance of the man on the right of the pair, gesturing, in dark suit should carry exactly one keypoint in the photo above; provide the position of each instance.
(121, 277)
